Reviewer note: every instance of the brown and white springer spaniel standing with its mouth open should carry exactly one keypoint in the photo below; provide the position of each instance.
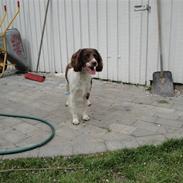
(84, 63)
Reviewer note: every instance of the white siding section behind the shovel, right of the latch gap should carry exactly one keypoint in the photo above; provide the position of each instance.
(172, 38)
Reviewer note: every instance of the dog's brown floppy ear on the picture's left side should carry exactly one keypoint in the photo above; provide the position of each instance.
(76, 61)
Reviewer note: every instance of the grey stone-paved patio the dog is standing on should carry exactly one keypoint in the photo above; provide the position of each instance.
(121, 116)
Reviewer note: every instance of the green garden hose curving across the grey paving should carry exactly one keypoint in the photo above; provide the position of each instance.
(30, 147)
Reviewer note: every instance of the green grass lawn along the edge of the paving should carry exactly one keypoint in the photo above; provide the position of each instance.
(147, 164)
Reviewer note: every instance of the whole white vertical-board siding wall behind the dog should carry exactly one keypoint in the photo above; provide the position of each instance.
(111, 26)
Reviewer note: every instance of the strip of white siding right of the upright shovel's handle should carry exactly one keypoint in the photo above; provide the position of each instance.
(173, 37)
